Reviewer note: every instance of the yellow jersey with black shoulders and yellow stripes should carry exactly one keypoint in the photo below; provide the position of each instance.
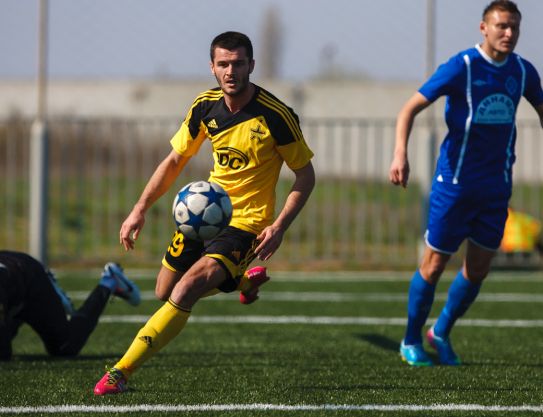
(249, 148)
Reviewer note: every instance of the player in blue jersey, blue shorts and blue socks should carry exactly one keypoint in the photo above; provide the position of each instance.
(472, 182)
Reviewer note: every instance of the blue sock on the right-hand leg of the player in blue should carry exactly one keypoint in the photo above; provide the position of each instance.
(462, 294)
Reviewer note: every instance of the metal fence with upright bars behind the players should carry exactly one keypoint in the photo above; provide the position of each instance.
(354, 218)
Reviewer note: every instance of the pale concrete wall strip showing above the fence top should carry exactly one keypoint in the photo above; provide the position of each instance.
(172, 98)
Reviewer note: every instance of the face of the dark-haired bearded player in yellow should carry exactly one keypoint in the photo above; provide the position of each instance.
(232, 69)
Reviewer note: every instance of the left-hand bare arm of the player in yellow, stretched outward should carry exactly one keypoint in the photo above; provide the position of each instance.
(161, 180)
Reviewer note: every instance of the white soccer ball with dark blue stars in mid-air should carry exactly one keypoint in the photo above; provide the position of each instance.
(201, 210)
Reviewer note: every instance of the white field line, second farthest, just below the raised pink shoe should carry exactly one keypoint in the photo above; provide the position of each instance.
(342, 297)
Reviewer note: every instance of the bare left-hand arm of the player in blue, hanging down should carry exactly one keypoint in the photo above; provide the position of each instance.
(399, 169)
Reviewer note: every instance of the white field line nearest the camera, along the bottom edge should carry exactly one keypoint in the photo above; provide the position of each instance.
(170, 408)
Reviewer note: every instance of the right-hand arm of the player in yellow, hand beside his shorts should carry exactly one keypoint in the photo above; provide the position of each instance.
(271, 237)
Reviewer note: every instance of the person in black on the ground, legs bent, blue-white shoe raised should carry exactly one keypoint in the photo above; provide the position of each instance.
(29, 293)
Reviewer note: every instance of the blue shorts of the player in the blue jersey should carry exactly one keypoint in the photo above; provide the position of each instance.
(457, 213)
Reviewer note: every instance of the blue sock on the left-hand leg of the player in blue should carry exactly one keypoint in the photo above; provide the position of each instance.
(421, 297)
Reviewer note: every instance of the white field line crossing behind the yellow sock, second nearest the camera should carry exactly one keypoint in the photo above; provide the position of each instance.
(324, 320)
